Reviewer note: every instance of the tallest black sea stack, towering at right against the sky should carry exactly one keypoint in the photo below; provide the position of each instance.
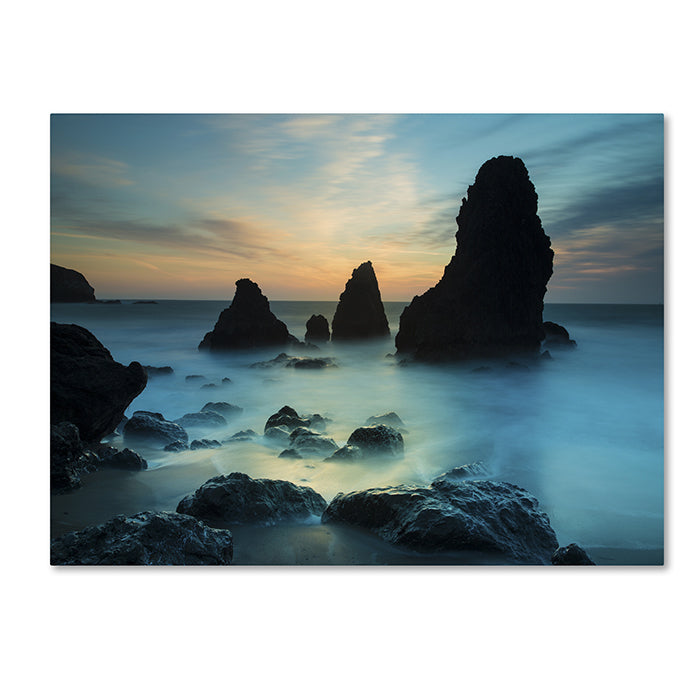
(490, 298)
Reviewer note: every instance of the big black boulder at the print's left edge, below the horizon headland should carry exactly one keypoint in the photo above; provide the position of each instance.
(88, 388)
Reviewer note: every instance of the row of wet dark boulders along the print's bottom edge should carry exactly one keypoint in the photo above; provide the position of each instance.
(446, 516)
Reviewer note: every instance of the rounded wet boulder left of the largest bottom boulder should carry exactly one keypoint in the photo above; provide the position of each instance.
(236, 498)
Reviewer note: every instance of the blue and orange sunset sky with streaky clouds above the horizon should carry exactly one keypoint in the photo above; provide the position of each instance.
(180, 206)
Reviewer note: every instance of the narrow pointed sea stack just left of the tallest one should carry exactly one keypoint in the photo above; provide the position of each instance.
(360, 312)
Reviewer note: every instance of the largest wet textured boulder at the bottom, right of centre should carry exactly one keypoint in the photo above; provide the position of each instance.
(484, 516)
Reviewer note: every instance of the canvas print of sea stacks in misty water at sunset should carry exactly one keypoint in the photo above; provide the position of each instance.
(357, 339)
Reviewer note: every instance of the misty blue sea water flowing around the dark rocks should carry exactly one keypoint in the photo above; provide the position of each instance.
(583, 432)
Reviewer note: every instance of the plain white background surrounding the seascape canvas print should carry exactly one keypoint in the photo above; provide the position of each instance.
(343, 633)
